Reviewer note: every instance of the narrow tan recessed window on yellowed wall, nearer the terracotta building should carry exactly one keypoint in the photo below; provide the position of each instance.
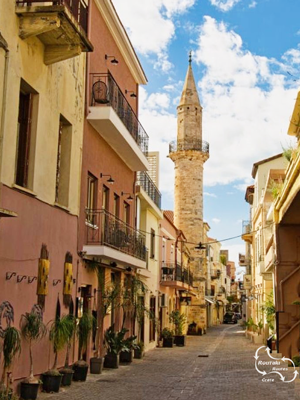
(63, 163)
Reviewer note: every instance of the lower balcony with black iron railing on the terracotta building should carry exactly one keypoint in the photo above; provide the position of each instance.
(109, 237)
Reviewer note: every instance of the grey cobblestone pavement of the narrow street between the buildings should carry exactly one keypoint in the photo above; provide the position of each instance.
(179, 373)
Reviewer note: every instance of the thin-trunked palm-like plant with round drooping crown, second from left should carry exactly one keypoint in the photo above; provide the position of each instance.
(32, 330)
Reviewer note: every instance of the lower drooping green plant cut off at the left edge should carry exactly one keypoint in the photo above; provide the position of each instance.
(10, 349)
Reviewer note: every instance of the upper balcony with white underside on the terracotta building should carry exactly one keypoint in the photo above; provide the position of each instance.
(113, 118)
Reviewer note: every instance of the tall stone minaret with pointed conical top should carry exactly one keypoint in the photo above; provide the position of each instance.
(189, 153)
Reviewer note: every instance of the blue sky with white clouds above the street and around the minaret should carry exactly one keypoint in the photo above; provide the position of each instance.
(242, 50)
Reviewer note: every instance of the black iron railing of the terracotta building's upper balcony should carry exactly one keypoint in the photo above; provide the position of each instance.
(106, 92)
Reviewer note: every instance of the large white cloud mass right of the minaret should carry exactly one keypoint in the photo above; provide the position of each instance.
(244, 103)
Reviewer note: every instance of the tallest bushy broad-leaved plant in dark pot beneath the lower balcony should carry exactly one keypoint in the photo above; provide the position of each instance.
(114, 342)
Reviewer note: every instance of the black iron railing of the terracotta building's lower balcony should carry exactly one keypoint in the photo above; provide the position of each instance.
(106, 229)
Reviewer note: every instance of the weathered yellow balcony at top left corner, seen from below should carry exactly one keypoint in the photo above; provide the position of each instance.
(61, 25)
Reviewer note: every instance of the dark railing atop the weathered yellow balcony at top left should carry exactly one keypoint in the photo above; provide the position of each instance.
(79, 8)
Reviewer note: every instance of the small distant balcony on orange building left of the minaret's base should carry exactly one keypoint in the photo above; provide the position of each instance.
(173, 275)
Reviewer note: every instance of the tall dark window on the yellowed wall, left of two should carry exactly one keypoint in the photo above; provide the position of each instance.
(28, 103)
